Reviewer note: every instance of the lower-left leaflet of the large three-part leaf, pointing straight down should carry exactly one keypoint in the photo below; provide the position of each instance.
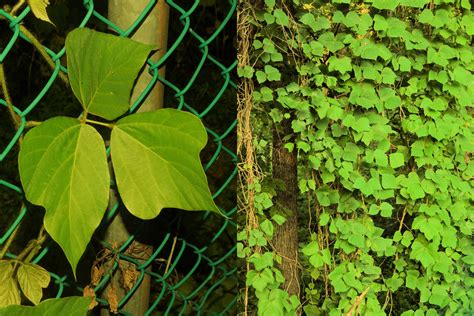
(63, 167)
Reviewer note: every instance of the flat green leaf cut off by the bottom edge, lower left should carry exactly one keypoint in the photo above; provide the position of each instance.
(71, 306)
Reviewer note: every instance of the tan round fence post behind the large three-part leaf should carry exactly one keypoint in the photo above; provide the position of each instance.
(153, 30)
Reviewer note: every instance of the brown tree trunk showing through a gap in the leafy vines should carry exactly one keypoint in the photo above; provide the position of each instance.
(285, 240)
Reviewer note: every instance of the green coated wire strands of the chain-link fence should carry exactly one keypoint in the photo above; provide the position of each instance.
(169, 293)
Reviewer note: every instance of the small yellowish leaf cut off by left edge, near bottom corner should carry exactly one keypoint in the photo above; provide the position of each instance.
(9, 292)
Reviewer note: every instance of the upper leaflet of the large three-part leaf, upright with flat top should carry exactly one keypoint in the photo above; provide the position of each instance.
(102, 69)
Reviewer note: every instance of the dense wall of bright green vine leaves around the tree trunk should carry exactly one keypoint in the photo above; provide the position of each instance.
(379, 94)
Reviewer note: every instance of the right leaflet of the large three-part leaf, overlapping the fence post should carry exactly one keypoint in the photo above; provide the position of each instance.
(156, 162)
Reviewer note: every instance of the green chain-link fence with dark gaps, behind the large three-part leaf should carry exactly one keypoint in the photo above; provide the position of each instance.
(192, 266)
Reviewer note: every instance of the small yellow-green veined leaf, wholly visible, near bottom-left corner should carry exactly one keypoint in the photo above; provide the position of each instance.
(32, 280)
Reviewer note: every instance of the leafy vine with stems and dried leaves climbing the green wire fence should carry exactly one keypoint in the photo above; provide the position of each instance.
(63, 164)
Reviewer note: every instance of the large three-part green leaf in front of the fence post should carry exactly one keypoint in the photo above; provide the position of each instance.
(63, 163)
